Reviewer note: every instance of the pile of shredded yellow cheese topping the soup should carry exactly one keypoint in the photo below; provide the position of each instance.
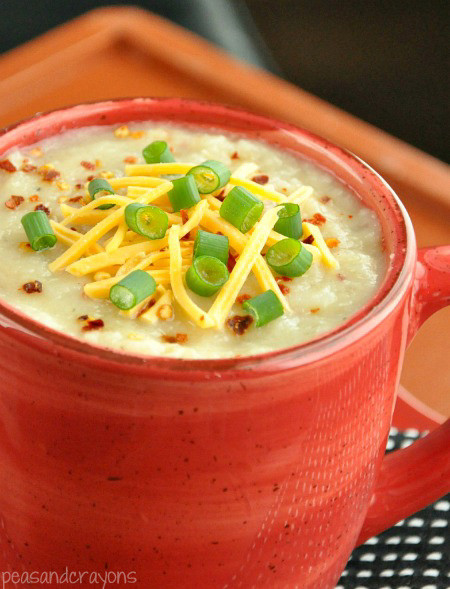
(108, 250)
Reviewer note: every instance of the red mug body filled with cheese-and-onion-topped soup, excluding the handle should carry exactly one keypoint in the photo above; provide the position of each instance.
(202, 327)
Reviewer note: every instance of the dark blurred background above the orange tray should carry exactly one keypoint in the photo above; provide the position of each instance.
(384, 61)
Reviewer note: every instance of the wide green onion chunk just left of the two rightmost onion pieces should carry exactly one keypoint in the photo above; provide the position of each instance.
(241, 208)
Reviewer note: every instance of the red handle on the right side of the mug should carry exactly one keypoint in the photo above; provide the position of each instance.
(412, 478)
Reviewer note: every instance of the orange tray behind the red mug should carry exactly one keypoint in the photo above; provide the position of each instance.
(117, 52)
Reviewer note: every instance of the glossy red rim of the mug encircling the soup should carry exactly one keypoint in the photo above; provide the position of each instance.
(362, 321)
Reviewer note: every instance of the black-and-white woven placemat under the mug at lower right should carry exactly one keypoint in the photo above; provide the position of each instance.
(414, 554)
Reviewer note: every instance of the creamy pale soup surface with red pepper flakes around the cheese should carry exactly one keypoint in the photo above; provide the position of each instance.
(53, 177)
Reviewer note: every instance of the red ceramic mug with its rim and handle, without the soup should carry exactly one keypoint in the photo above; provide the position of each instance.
(249, 472)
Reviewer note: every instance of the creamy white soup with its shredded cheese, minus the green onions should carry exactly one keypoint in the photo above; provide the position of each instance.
(341, 237)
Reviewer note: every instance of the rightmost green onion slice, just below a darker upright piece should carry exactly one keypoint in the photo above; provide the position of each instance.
(289, 257)
